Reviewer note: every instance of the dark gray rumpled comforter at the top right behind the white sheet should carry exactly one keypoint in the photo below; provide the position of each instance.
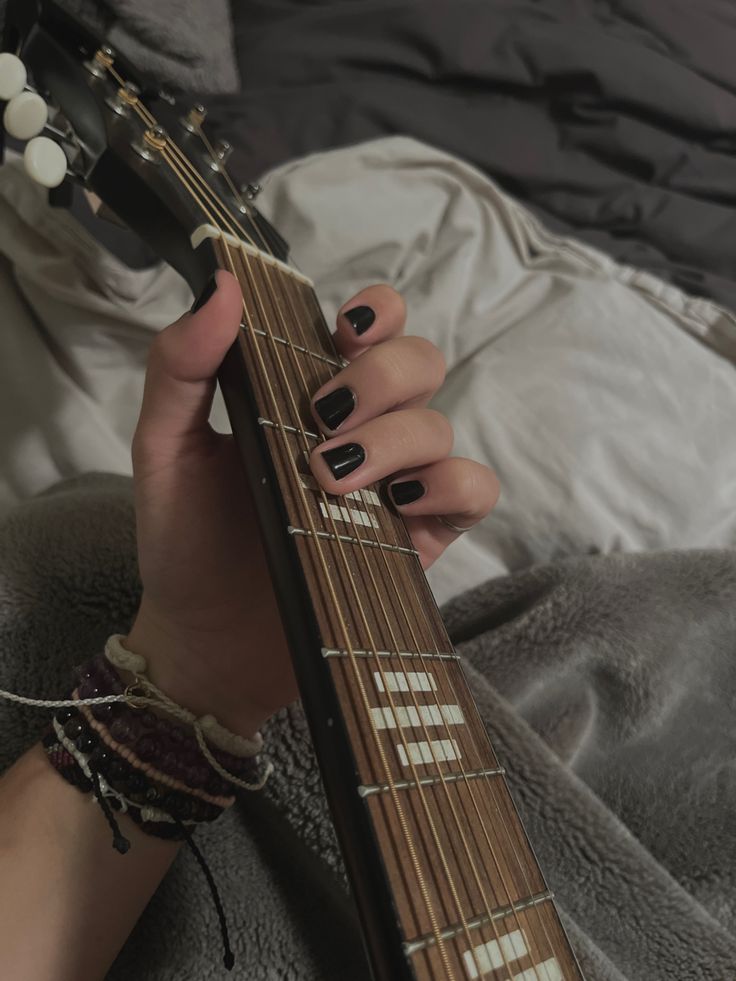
(613, 119)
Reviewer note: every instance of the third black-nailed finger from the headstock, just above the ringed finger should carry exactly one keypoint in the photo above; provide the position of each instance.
(379, 447)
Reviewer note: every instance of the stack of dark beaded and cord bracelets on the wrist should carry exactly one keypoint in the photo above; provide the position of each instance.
(137, 759)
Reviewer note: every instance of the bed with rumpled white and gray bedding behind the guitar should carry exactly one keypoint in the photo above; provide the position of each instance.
(551, 187)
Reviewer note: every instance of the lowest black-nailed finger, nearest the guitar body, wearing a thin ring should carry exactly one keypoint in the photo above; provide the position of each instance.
(462, 491)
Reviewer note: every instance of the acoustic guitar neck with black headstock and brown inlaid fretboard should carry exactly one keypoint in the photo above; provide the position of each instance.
(446, 883)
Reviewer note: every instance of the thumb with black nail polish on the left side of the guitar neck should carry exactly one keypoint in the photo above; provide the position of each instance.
(182, 367)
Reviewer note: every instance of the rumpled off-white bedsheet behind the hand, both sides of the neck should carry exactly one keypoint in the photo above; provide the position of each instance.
(604, 398)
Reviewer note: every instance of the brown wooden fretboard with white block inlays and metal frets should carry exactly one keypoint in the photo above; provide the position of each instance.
(463, 884)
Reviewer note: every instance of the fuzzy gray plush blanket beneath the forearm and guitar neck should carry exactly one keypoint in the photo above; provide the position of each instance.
(608, 687)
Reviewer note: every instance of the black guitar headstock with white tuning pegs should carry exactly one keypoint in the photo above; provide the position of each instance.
(86, 115)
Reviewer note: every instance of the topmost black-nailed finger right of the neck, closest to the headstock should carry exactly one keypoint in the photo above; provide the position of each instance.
(371, 316)
